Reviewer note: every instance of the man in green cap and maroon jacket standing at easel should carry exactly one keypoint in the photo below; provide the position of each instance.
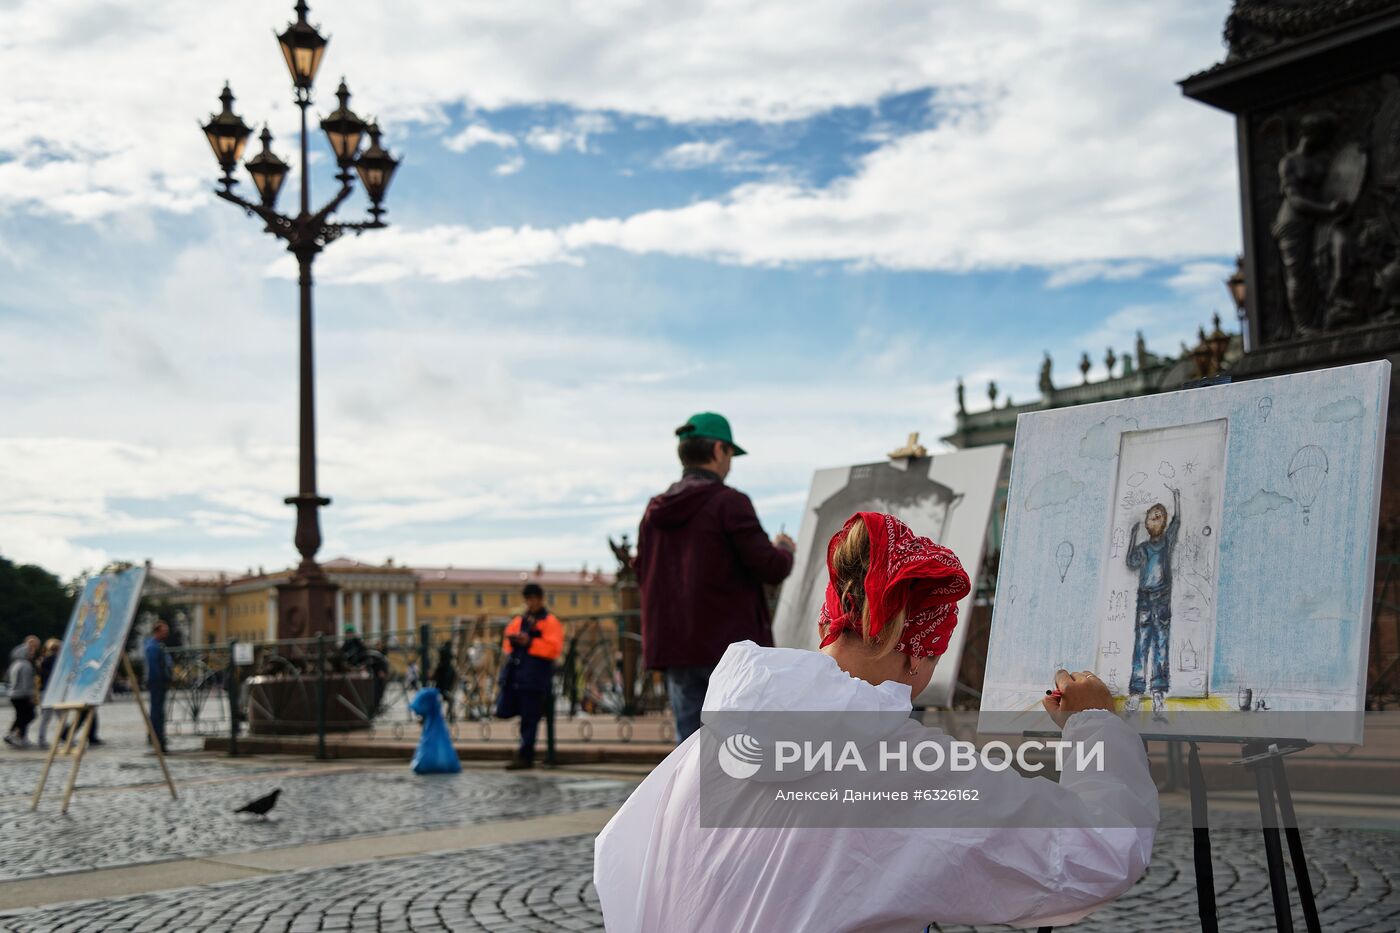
(703, 561)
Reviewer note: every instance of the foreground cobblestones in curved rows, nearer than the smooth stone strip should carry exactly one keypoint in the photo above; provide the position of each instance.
(545, 886)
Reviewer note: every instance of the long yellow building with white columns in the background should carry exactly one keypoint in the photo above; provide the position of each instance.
(379, 602)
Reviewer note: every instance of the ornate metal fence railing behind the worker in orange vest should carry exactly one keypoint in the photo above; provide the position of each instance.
(327, 686)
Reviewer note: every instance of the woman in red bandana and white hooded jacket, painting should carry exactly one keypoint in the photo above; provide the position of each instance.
(890, 610)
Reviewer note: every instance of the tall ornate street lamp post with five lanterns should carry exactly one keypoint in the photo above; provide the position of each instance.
(306, 604)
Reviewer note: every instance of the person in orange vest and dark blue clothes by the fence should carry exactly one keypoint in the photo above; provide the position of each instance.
(533, 642)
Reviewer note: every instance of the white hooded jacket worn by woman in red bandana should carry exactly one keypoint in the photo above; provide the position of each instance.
(657, 869)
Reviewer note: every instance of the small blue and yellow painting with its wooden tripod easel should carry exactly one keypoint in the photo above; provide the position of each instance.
(94, 645)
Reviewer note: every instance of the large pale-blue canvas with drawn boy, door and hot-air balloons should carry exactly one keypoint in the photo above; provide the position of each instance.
(1210, 554)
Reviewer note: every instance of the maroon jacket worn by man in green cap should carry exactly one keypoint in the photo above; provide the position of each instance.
(702, 562)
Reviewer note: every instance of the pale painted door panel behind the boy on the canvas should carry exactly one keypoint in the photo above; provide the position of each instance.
(1157, 593)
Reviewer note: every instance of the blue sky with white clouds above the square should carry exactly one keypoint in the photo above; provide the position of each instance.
(813, 216)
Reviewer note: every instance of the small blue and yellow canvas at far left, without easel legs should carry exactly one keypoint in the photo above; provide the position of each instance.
(96, 640)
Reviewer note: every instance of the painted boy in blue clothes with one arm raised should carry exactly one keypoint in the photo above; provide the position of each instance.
(1153, 628)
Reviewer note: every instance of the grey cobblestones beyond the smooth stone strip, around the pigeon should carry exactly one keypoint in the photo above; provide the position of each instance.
(118, 819)
